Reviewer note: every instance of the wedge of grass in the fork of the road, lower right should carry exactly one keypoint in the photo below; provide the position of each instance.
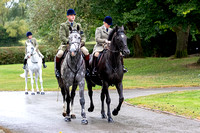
(185, 103)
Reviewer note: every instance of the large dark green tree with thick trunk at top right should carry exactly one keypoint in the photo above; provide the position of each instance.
(154, 16)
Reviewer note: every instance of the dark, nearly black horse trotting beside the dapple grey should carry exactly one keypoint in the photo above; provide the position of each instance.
(110, 72)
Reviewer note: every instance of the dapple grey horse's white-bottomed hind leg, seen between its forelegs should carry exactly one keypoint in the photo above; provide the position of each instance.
(73, 93)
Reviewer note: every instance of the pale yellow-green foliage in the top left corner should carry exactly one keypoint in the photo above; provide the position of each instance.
(13, 25)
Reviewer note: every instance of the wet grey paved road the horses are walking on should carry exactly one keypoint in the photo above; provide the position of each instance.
(42, 114)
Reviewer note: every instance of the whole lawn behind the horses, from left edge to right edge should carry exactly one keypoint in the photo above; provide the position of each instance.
(143, 73)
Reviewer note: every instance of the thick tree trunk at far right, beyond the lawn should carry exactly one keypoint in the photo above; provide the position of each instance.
(182, 41)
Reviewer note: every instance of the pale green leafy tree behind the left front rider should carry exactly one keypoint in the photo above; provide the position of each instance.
(45, 17)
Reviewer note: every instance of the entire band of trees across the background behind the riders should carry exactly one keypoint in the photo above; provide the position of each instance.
(154, 27)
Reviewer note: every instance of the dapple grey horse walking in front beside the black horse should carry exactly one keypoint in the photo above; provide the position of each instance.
(73, 74)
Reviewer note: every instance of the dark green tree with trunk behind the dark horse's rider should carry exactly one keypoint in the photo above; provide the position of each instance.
(94, 11)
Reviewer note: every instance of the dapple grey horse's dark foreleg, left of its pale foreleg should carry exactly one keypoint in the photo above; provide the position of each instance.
(68, 99)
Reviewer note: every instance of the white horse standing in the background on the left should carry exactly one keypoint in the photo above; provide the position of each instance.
(34, 65)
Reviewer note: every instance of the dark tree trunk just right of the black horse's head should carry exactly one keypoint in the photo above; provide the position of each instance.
(136, 41)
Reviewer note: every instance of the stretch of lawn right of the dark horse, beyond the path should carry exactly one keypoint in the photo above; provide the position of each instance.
(161, 72)
